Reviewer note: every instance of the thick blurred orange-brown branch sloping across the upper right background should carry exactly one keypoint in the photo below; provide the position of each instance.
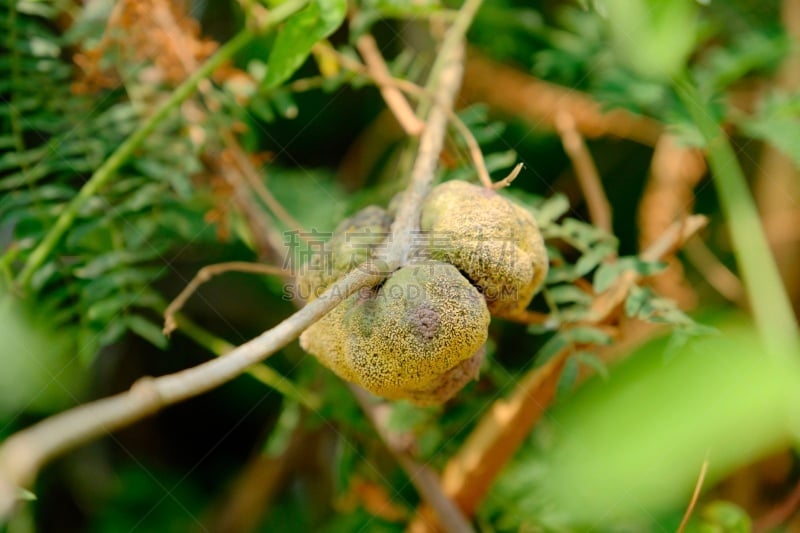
(516, 93)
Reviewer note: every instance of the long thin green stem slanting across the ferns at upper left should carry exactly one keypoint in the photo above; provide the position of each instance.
(109, 168)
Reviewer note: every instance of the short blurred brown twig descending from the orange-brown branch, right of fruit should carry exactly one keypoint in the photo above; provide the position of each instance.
(585, 170)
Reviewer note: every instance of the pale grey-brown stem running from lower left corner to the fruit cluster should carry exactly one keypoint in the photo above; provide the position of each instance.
(24, 453)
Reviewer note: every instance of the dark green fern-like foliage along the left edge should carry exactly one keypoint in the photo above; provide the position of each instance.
(99, 280)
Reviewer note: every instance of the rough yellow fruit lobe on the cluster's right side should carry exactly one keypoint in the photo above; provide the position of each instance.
(494, 242)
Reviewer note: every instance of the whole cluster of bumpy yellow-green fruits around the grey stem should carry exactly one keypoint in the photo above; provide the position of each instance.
(420, 335)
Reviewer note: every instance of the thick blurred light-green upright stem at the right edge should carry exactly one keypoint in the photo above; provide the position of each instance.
(769, 302)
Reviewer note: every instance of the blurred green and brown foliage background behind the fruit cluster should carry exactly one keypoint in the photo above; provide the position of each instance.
(671, 389)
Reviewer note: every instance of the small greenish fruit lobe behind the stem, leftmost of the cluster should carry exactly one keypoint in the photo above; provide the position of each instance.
(354, 241)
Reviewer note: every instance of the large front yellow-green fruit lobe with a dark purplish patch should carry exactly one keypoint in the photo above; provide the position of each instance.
(417, 337)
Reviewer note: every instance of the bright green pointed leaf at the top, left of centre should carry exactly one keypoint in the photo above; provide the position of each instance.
(298, 36)
